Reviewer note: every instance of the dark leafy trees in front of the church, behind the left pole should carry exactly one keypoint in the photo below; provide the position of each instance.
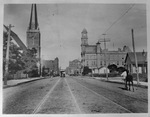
(19, 60)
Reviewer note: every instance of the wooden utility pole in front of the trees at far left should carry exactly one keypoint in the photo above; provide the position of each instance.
(7, 55)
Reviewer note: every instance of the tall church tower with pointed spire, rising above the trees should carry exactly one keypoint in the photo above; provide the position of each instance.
(33, 33)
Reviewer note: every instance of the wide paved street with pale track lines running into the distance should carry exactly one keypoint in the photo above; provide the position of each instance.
(73, 95)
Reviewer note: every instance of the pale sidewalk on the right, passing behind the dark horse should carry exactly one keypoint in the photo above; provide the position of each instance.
(119, 80)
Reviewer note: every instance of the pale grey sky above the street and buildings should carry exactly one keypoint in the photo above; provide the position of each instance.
(61, 26)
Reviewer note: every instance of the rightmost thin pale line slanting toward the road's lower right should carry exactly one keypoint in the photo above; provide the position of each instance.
(105, 98)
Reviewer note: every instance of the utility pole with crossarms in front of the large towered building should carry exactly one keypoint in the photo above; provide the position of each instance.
(105, 40)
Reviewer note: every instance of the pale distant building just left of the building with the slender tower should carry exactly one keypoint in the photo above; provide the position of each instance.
(74, 67)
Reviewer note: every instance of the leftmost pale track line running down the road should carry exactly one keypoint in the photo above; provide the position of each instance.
(44, 99)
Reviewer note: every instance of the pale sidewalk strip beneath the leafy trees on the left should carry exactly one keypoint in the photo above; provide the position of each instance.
(11, 83)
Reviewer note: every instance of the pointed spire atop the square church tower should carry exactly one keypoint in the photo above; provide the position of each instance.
(33, 18)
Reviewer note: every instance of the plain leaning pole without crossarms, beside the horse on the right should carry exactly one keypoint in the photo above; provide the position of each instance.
(136, 65)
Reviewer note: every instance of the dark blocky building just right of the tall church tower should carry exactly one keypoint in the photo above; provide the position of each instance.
(51, 66)
